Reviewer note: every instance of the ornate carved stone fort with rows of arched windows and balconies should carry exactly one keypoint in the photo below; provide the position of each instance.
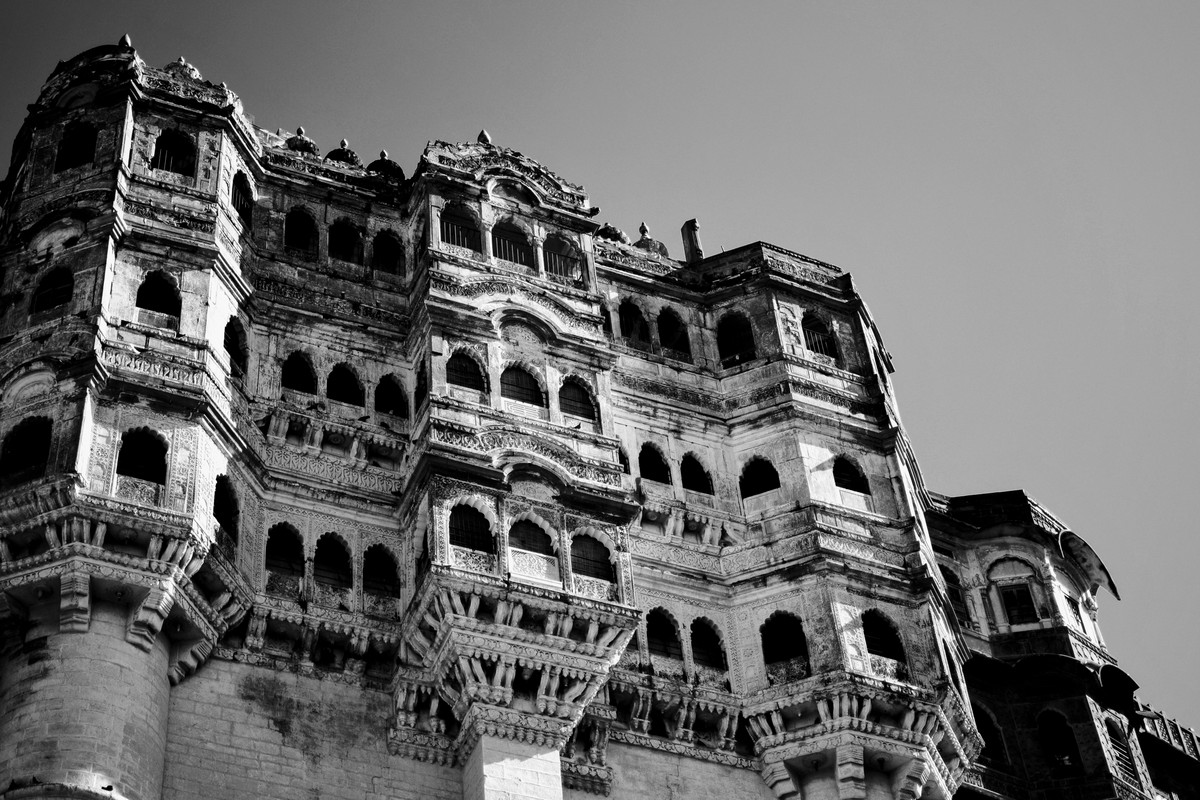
(321, 480)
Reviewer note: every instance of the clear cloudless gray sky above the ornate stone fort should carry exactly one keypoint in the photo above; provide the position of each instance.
(1015, 185)
